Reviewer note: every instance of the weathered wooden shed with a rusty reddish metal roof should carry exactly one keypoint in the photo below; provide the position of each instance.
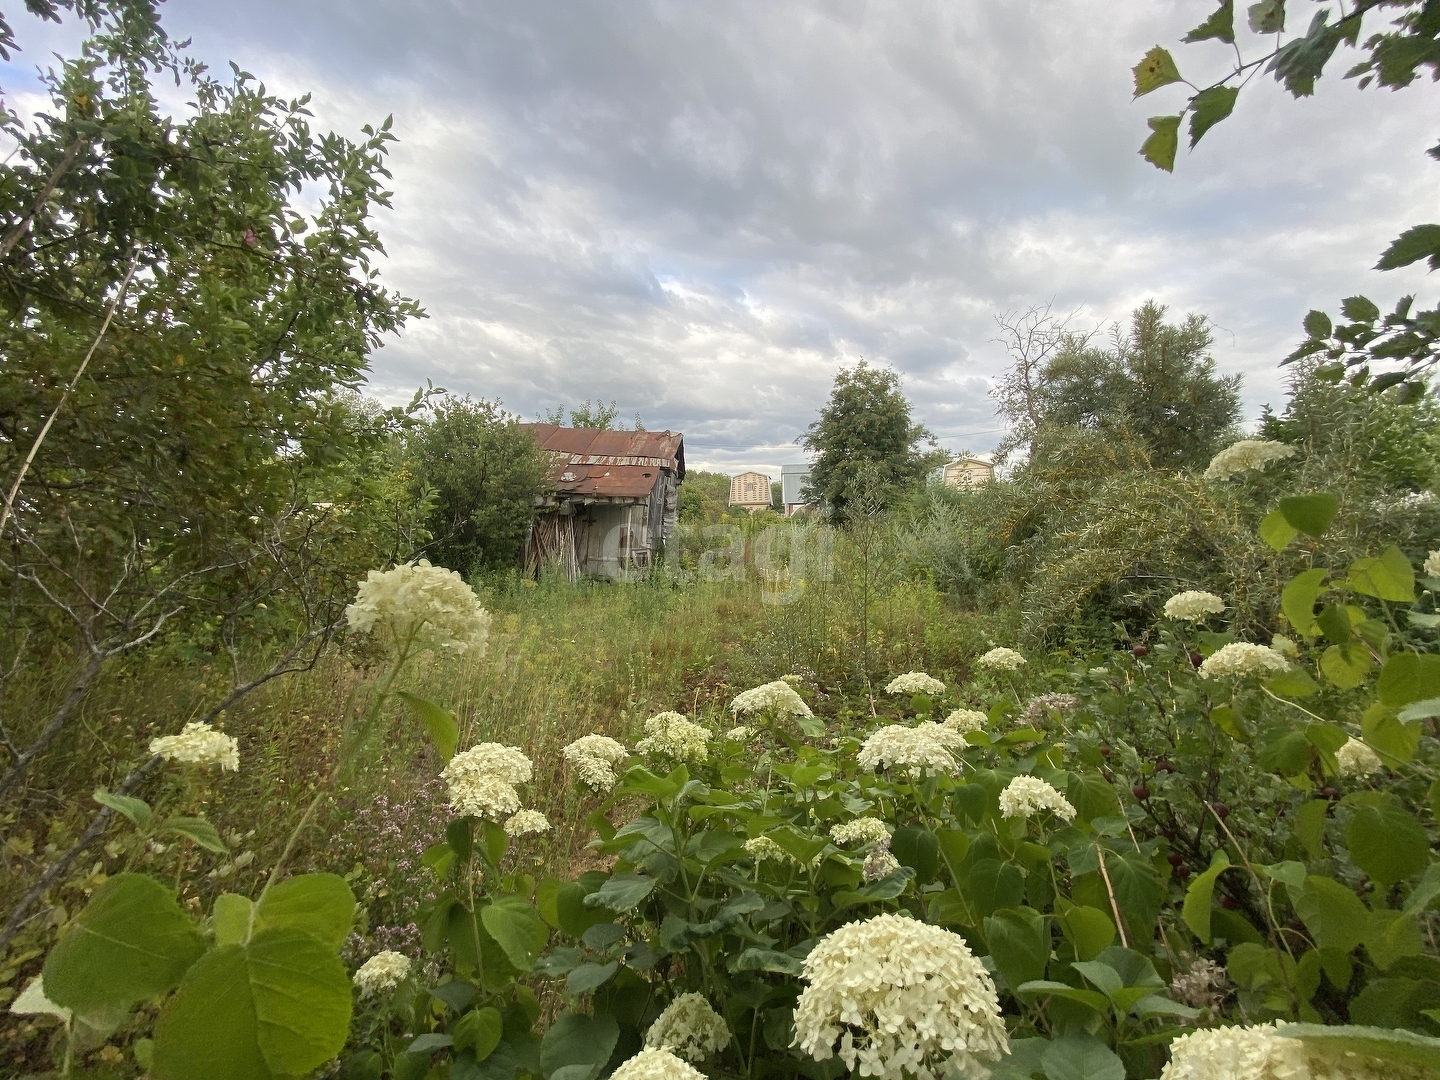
(613, 500)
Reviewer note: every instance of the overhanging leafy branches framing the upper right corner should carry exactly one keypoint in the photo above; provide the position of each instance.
(1390, 58)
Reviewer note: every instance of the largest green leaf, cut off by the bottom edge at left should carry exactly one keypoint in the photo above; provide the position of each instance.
(276, 1007)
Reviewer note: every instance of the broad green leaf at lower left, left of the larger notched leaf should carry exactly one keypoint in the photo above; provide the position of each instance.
(129, 944)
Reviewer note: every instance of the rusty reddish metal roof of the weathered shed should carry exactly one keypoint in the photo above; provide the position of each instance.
(610, 464)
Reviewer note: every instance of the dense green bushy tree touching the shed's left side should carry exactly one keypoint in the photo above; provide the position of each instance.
(485, 473)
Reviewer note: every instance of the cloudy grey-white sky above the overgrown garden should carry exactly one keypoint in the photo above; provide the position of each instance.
(702, 211)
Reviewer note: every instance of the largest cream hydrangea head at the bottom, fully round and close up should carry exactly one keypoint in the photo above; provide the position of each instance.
(898, 999)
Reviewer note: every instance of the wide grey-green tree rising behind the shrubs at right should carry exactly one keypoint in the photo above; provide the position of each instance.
(1156, 385)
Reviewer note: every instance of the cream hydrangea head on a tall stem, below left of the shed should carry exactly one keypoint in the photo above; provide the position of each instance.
(431, 603)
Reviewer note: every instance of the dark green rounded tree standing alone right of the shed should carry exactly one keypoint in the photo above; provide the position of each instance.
(866, 423)
